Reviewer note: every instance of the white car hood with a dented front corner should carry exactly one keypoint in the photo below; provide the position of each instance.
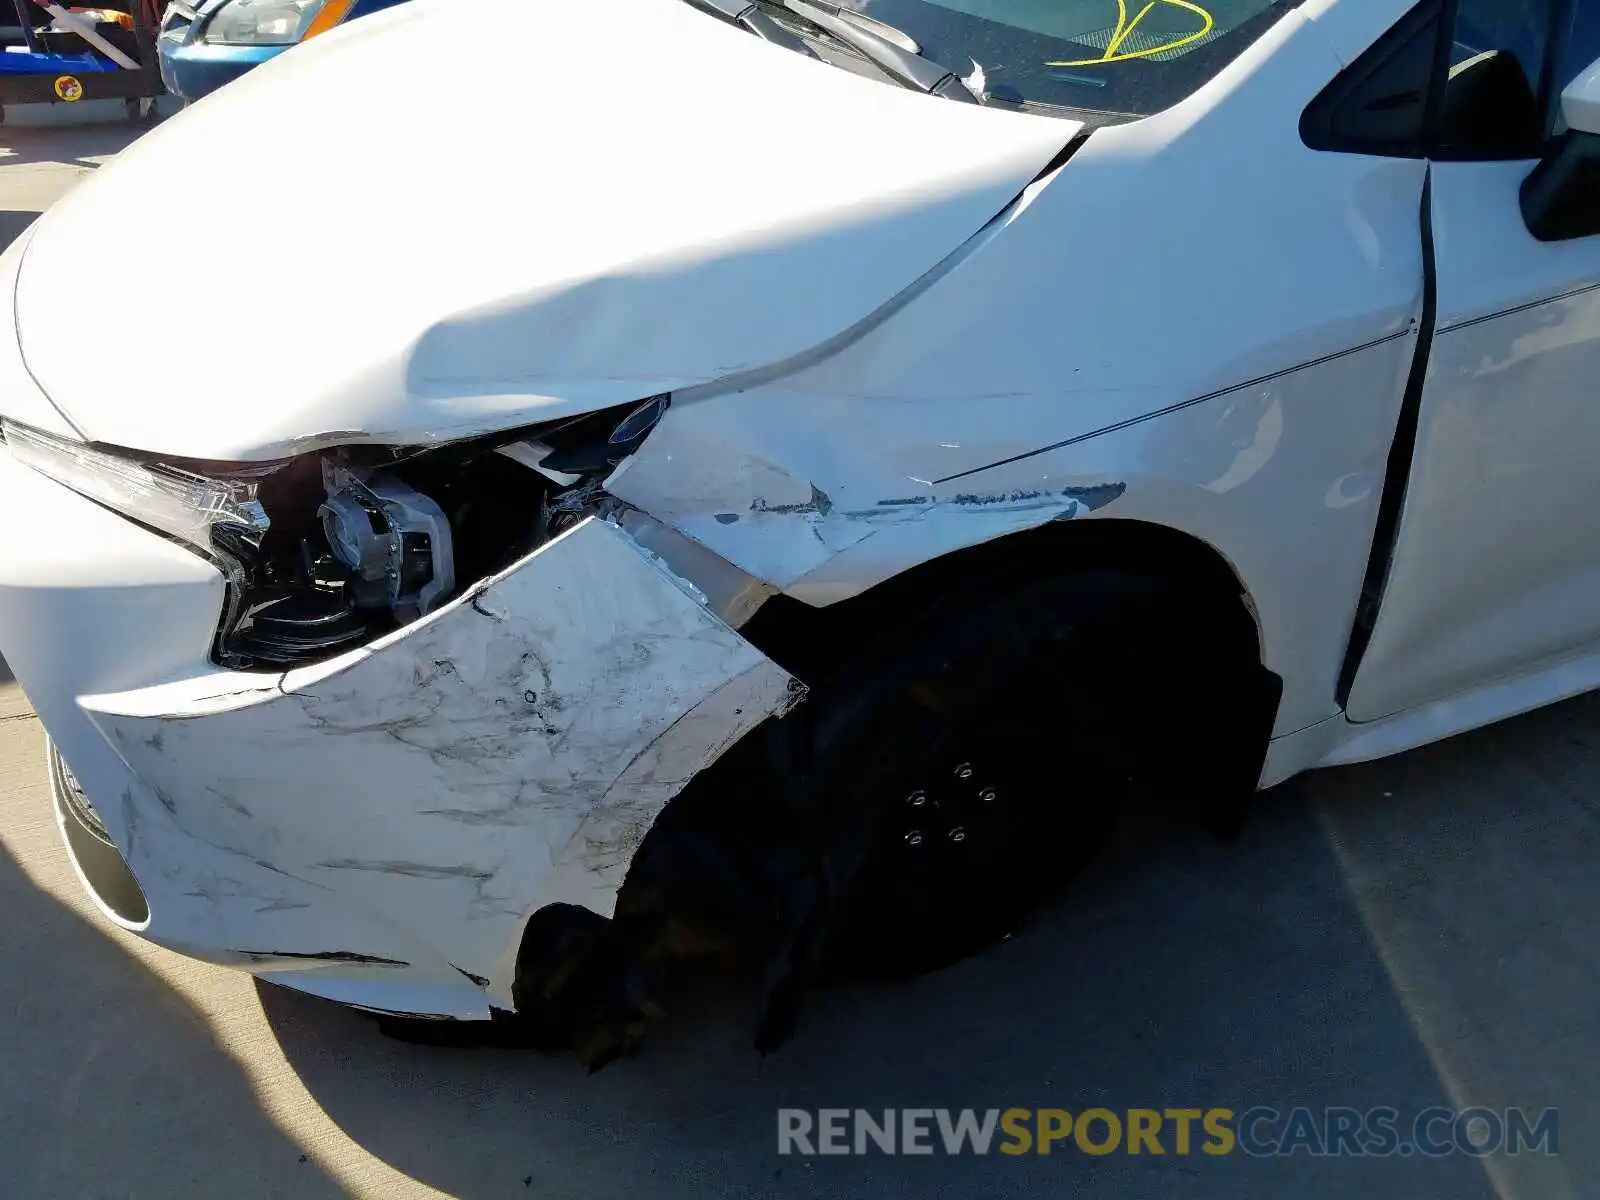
(465, 215)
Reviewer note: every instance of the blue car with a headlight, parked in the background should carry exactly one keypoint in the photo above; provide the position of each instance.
(204, 44)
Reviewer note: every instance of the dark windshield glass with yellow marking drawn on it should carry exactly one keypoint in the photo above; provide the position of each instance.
(1121, 58)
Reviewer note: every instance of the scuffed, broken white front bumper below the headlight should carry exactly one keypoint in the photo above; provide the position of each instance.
(377, 828)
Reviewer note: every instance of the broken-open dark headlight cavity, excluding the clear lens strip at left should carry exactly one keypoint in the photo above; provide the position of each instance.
(370, 538)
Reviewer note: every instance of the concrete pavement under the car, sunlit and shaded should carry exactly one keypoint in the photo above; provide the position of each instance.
(1409, 934)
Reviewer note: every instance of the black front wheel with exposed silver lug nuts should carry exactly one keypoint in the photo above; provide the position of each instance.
(977, 766)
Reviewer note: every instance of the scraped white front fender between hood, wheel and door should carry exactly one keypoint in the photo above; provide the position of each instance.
(1137, 279)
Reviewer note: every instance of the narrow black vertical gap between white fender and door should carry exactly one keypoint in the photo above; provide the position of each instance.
(1398, 476)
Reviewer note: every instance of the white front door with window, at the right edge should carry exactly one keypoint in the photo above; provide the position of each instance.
(1495, 567)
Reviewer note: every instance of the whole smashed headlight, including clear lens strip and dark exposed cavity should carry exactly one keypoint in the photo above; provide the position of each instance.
(330, 550)
